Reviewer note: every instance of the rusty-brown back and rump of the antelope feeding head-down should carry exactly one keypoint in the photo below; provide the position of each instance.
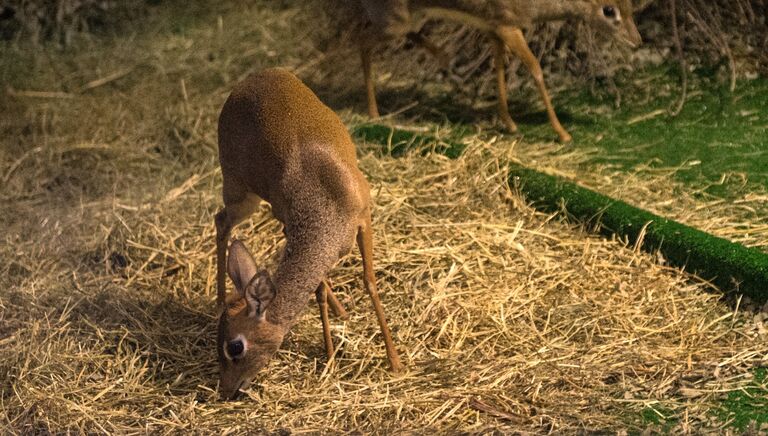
(268, 124)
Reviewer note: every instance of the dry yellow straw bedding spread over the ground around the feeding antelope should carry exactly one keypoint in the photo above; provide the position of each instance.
(506, 319)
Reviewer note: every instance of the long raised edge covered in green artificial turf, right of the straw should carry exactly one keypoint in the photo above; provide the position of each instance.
(730, 266)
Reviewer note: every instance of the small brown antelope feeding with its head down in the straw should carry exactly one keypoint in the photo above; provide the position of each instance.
(280, 143)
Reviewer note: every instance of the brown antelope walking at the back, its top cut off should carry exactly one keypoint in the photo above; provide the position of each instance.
(502, 20)
